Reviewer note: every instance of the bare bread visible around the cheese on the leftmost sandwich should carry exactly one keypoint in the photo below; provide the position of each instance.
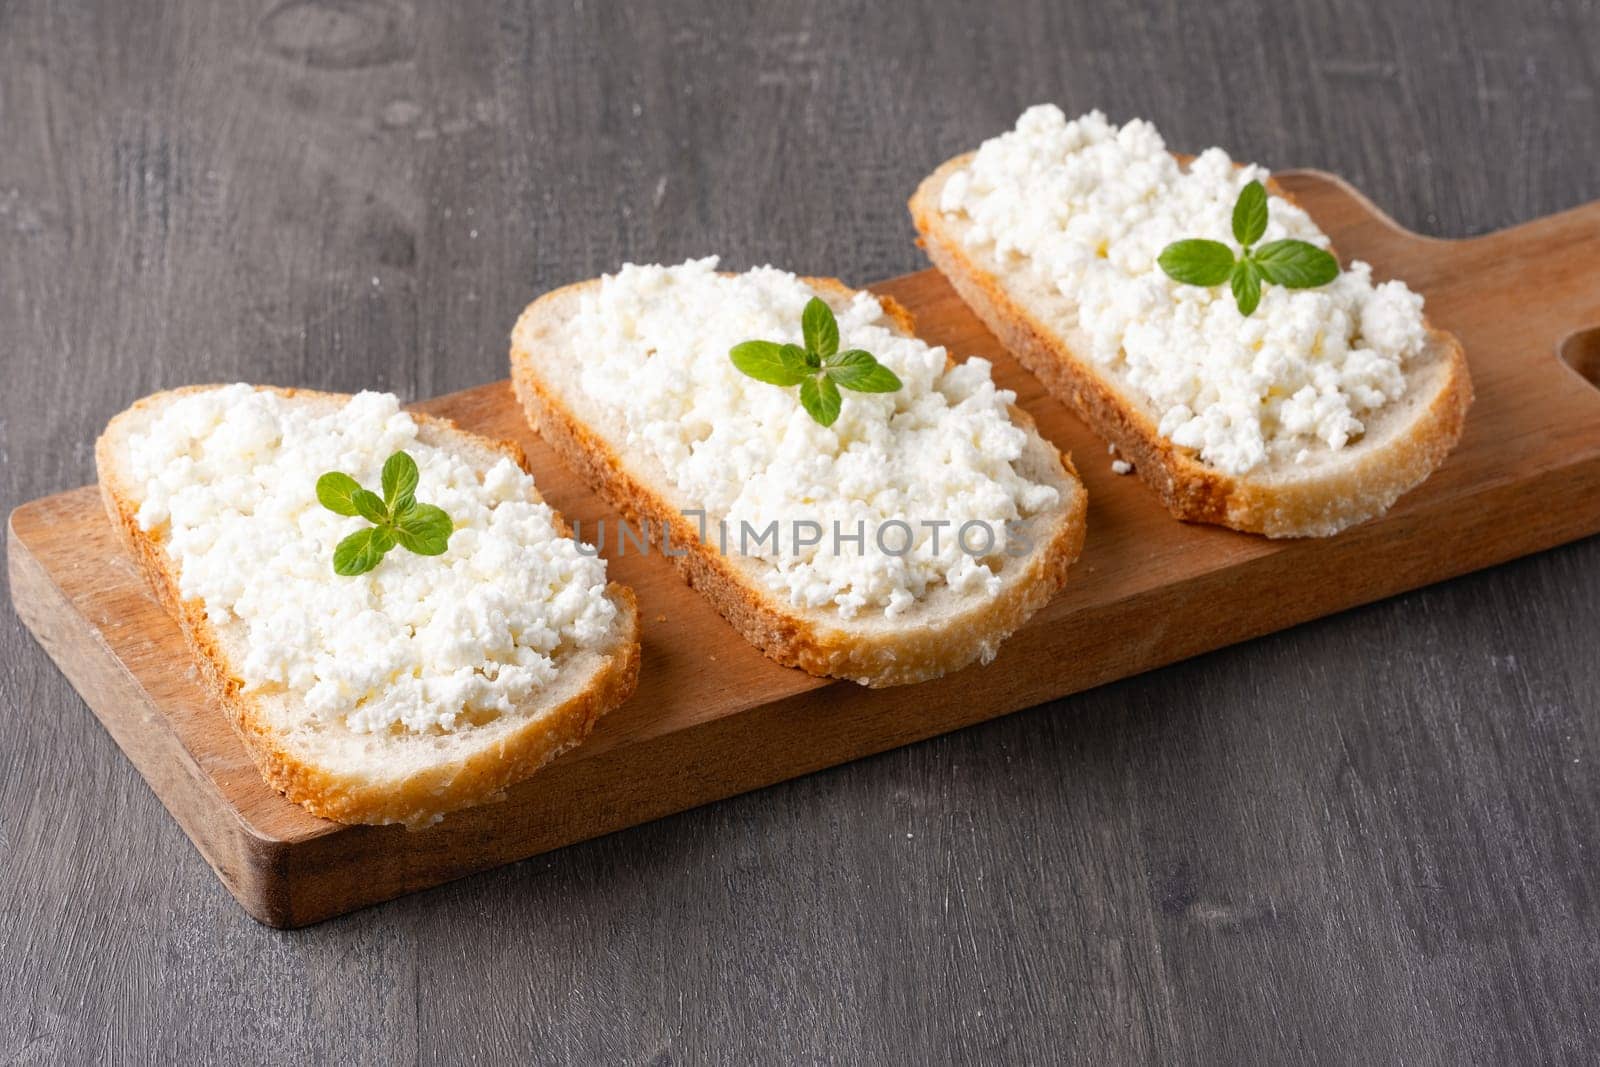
(377, 778)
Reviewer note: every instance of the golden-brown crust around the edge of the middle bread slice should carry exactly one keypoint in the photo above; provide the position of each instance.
(812, 641)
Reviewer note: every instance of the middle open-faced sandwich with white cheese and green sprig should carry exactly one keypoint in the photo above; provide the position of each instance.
(855, 503)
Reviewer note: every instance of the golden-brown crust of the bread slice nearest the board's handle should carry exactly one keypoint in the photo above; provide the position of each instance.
(1191, 489)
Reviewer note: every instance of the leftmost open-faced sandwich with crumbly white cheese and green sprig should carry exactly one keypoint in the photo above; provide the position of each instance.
(398, 625)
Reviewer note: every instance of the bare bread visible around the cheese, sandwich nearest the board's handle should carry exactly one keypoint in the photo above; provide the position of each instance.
(1401, 447)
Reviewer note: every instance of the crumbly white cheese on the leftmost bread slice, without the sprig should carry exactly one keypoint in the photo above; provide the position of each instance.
(228, 484)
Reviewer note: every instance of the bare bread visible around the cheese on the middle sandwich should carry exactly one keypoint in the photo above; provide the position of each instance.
(943, 633)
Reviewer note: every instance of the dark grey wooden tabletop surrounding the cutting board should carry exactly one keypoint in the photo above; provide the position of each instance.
(1374, 839)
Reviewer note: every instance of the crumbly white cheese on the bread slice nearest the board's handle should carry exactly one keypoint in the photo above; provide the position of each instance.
(1089, 209)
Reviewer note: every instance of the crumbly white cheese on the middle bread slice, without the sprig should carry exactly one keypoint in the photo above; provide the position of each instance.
(942, 450)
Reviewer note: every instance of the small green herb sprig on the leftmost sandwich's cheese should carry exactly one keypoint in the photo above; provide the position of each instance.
(396, 516)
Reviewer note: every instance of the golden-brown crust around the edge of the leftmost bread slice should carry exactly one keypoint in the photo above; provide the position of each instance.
(420, 799)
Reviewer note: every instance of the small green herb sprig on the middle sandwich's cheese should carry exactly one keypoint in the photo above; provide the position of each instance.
(820, 369)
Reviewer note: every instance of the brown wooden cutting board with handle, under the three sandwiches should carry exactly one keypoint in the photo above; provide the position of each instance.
(713, 717)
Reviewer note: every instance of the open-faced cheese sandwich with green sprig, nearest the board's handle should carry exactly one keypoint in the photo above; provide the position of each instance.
(1196, 318)
